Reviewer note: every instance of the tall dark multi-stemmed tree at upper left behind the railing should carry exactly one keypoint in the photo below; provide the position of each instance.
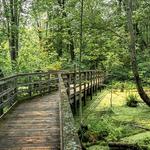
(12, 9)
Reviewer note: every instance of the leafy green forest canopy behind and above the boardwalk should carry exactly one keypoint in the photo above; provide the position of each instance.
(47, 31)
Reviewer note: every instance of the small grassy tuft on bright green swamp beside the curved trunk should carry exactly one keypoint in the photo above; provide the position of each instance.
(132, 100)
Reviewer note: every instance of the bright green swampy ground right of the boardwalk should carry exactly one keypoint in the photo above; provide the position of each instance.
(116, 123)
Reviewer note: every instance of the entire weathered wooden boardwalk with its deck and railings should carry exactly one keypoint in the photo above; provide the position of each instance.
(36, 109)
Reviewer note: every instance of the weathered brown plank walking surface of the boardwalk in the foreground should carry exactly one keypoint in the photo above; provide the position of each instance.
(32, 125)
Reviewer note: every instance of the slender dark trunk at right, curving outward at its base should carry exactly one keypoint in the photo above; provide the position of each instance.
(132, 47)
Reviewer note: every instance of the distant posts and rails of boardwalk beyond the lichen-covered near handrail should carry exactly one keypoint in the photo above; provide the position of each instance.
(91, 81)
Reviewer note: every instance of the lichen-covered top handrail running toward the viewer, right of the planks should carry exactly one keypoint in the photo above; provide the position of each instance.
(68, 133)
